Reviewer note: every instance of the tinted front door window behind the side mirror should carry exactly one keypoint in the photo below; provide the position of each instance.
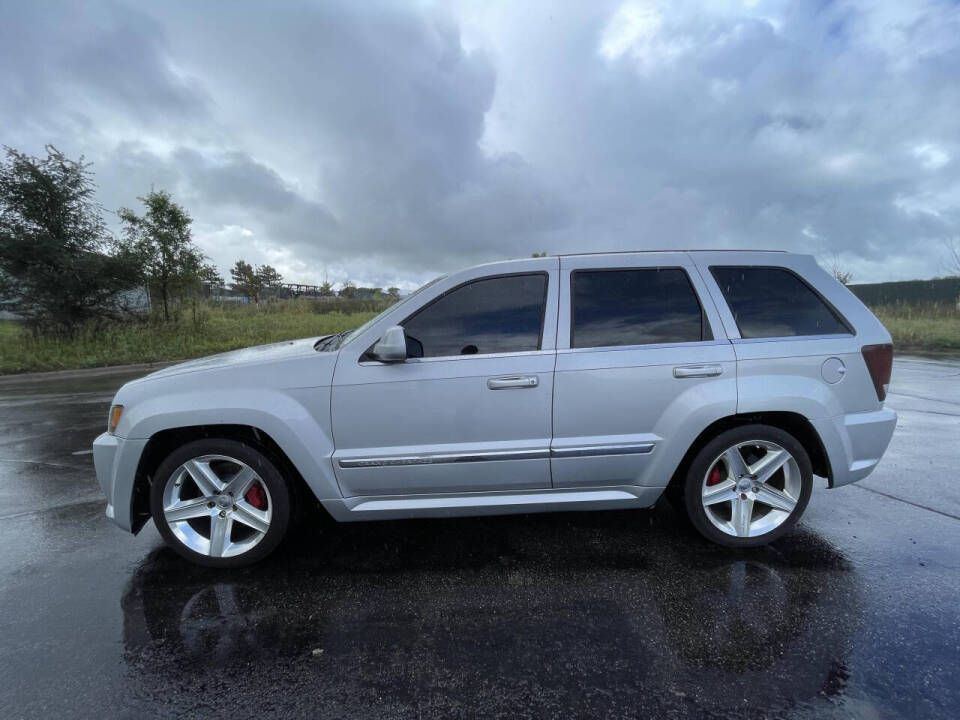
(503, 314)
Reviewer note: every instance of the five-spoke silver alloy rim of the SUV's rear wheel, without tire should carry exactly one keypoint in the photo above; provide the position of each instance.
(751, 488)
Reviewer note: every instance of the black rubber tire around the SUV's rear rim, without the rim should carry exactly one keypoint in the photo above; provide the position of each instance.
(693, 483)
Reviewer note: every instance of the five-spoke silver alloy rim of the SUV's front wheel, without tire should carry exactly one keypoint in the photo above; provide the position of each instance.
(217, 506)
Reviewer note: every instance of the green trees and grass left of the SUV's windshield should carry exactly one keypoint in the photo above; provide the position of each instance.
(79, 291)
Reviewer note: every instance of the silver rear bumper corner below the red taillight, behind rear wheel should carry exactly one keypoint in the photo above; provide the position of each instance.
(855, 443)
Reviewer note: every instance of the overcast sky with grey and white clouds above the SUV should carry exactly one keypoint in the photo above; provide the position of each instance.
(388, 142)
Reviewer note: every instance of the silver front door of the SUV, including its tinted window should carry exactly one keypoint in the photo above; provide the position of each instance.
(470, 409)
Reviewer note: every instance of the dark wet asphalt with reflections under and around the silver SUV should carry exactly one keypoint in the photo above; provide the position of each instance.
(628, 613)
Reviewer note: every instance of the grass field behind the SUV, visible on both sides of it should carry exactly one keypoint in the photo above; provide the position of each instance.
(924, 328)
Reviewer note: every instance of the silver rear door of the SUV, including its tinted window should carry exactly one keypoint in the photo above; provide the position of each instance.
(643, 366)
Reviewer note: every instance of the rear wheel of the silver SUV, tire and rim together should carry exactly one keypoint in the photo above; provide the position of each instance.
(748, 486)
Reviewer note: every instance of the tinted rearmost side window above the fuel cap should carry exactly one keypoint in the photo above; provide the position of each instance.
(773, 302)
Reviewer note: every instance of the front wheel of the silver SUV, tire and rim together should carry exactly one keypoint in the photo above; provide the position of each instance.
(220, 503)
